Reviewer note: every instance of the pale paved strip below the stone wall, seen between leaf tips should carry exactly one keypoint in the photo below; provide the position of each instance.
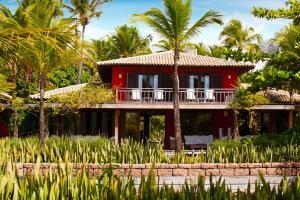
(234, 183)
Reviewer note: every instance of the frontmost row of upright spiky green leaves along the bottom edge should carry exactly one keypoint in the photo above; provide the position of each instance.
(62, 184)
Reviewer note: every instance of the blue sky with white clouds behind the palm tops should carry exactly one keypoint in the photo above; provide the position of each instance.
(119, 12)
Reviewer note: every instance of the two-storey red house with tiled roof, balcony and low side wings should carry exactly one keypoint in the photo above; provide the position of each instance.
(143, 87)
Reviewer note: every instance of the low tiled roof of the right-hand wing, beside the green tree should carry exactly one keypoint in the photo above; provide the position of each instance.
(280, 96)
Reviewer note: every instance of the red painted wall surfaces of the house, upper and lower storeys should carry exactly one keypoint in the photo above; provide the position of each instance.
(221, 118)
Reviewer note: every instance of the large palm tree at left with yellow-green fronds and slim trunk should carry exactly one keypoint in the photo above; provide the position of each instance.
(45, 39)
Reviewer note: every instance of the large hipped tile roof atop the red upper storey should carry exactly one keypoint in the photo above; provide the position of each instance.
(166, 59)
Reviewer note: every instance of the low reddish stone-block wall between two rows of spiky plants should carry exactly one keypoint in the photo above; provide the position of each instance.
(204, 169)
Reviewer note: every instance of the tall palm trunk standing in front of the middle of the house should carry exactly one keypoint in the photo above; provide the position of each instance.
(177, 125)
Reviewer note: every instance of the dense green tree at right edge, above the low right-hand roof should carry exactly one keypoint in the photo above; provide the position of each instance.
(285, 64)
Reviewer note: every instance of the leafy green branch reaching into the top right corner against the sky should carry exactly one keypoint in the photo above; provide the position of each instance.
(292, 11)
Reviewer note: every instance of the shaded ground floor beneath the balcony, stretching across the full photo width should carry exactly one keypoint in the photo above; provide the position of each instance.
(155, 122)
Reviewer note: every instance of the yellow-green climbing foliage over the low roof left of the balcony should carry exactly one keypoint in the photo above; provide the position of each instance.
(89, 96)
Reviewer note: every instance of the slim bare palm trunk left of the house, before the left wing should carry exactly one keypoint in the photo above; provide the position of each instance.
(42, 113)
